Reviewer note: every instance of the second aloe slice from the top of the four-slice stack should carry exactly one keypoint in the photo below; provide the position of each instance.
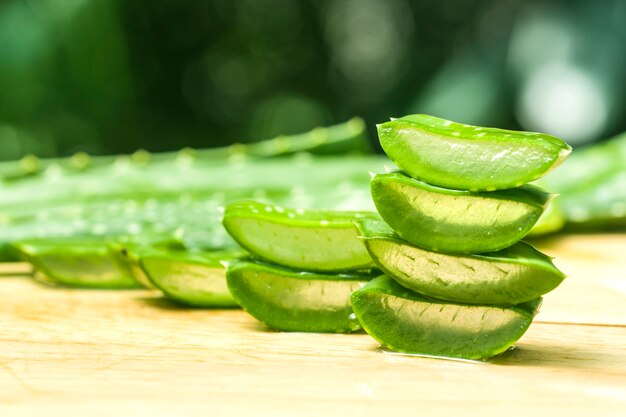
(454, 221)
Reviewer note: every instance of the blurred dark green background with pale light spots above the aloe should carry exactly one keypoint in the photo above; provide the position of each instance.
(113, 76)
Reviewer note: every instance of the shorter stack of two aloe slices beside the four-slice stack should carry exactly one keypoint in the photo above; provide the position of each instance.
(303, 265)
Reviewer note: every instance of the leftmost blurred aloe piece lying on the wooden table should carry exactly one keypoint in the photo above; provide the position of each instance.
(84, 263)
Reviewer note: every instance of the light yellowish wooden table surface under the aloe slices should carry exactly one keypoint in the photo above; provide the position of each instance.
(107, 353)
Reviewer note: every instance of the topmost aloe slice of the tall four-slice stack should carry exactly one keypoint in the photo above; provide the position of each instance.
(464, 157)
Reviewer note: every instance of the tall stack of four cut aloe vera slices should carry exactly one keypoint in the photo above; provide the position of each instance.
(458, 280)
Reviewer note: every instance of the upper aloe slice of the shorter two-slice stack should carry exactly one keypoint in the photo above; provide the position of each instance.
(315, 240)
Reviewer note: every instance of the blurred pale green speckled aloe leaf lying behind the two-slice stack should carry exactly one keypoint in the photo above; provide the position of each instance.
(109, 202)
